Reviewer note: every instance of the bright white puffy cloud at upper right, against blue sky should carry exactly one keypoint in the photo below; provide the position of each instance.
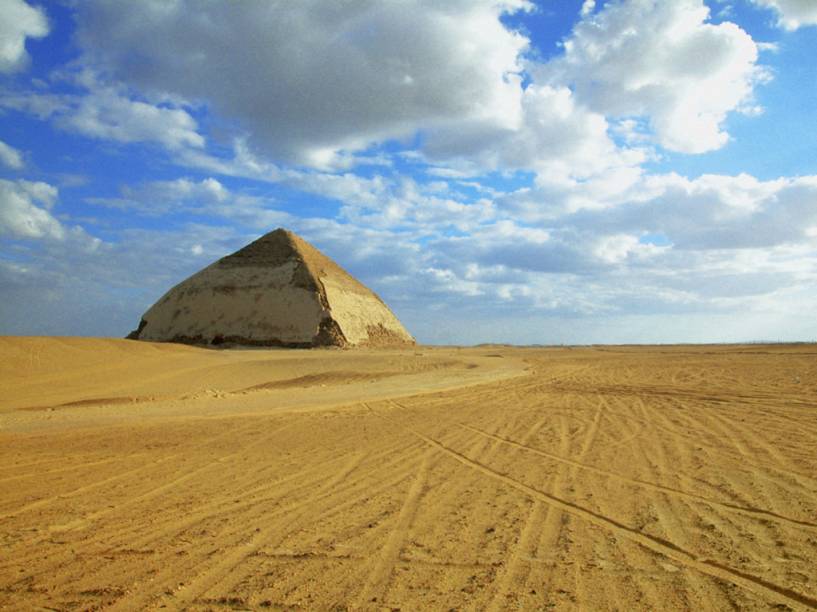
(663, 61)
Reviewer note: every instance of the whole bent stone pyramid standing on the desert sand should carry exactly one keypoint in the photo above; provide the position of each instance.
(276, 291)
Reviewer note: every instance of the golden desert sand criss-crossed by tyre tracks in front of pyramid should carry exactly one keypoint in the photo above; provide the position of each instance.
(139, 476)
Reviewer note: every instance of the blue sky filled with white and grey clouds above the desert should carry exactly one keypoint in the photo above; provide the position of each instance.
(497, 170)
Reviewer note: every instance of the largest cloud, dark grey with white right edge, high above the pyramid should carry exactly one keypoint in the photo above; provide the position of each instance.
(309, 80)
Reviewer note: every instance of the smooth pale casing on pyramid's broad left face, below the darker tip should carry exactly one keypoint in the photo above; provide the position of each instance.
(249, 304)
